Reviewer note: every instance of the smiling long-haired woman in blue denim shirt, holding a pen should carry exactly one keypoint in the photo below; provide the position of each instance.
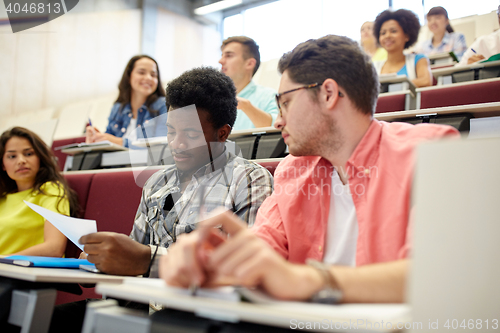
(140, 99)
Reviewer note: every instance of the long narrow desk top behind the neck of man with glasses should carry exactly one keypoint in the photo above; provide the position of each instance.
(478, 110)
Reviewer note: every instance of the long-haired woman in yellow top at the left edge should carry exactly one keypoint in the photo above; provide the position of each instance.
(29, 172)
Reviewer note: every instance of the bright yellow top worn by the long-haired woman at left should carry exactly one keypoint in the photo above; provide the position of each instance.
(20, 226)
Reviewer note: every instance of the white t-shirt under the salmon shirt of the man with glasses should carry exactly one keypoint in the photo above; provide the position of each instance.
(342, 232)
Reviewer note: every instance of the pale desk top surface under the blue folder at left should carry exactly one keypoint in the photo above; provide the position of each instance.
(37, 274)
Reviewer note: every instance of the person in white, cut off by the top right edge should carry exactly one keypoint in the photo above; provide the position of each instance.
(483, 47)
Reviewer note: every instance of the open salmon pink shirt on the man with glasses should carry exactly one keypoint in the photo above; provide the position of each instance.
(294, 219)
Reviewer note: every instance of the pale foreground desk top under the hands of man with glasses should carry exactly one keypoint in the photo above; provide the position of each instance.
(282, 314)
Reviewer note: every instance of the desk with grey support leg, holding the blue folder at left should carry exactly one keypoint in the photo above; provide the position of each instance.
(33, 303)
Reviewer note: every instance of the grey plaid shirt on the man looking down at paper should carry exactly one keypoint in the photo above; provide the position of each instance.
(164, 212)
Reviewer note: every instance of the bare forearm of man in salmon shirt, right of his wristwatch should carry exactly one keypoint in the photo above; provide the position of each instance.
(377, 283)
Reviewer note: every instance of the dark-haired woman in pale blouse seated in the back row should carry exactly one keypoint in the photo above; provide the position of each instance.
(444, 39)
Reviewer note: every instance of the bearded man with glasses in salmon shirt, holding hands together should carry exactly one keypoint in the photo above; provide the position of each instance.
(336, 228)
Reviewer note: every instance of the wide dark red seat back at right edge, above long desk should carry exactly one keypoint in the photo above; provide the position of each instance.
(476, 92)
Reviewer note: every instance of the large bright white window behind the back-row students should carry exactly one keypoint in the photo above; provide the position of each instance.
(279, 26)
